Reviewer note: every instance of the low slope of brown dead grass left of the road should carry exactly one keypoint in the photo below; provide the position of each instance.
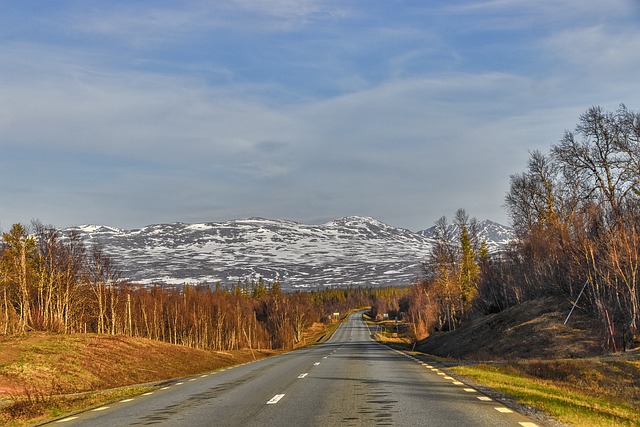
(79, 363)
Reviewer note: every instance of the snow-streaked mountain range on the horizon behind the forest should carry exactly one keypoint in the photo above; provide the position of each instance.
(347, 251)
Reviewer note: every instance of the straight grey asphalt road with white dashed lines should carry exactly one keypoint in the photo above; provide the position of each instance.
(349, 381)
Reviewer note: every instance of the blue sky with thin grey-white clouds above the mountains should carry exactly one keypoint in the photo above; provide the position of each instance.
(130, 113)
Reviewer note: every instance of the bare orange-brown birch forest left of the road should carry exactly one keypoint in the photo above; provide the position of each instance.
(61, 285)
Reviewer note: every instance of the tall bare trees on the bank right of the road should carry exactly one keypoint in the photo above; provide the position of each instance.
(576, 214)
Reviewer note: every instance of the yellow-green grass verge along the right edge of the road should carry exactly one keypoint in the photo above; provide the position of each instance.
(580, 392)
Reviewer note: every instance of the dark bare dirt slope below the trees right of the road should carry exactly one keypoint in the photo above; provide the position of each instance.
(532, 330)
